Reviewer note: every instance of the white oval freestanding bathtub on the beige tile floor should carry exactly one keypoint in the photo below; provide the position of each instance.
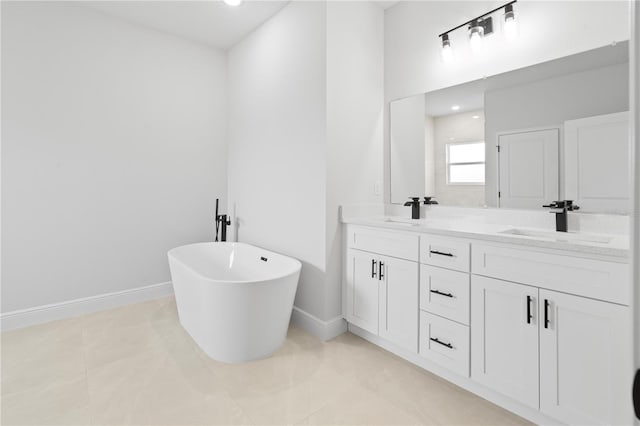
(234, 299)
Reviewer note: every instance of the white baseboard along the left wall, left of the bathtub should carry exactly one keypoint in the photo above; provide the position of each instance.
(55, 311)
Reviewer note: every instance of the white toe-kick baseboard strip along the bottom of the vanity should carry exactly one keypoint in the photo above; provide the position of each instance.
(466, 383)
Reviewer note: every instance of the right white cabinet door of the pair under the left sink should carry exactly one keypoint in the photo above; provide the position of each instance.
(399, 296)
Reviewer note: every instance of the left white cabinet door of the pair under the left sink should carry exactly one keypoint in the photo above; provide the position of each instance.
(362, 290)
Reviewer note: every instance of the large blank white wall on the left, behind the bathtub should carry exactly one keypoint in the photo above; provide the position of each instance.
(113, 152)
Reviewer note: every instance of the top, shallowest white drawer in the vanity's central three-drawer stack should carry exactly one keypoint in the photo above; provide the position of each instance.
(444, 252)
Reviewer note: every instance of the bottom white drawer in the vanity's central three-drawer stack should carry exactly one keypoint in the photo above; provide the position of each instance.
(445, 342)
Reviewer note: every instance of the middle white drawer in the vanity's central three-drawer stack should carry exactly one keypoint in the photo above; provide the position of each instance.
(445, 293)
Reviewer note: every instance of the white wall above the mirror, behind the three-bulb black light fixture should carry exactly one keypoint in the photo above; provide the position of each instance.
(548, 30)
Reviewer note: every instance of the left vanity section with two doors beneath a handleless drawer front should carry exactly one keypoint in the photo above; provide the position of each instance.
(381, 291)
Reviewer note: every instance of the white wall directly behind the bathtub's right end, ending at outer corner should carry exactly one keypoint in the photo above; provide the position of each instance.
(277, 142)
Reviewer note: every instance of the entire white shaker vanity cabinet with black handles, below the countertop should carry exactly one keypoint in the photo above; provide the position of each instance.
(546, 328)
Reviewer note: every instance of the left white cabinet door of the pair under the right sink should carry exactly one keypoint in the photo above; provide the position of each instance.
(504, 338)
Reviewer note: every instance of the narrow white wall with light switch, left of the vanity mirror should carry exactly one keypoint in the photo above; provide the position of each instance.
(355, 92)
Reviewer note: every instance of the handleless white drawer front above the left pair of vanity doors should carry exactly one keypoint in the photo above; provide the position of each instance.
(395, 244)
